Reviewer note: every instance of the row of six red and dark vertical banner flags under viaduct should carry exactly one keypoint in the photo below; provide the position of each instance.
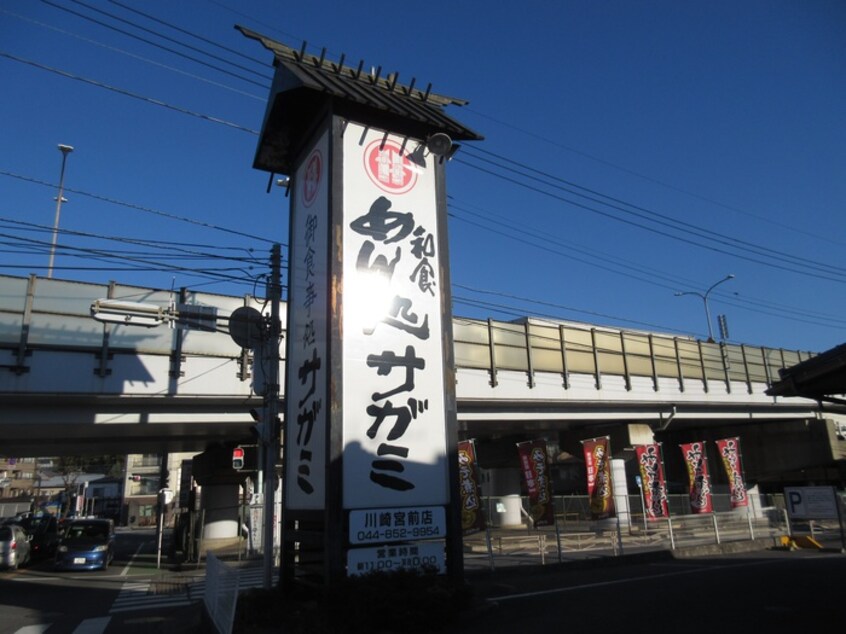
(534, 464)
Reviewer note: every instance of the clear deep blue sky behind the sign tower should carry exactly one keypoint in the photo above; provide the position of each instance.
(633, 150)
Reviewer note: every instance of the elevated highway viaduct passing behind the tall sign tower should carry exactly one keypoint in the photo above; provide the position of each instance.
(72, 385)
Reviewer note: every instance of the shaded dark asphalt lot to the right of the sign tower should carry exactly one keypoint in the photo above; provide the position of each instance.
(764, 591)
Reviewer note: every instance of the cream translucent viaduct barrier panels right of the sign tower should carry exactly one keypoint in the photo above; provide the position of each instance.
(531, 345)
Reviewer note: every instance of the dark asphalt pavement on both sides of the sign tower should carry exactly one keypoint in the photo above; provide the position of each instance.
(767, 590)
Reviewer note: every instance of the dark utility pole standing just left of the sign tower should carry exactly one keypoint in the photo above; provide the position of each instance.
(269, 437)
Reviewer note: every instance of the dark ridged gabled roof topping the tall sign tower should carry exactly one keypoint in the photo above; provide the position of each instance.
(304, 84)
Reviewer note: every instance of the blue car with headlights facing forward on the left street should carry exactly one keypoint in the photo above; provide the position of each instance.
(86, 544)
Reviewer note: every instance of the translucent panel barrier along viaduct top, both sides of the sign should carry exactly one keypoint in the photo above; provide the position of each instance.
(43, 312)
